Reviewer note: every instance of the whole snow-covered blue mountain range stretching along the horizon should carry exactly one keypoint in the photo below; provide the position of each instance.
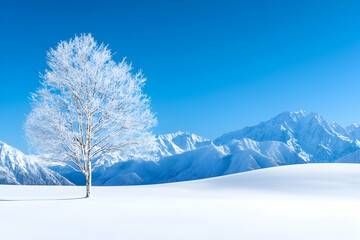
(289, 138)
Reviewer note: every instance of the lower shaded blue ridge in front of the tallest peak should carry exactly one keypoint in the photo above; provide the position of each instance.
(205, 162)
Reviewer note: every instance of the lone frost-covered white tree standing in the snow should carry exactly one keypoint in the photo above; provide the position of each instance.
(88, 107)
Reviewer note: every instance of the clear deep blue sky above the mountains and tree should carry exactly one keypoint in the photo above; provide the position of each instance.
(212, 66)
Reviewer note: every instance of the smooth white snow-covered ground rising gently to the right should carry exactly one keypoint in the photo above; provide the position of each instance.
(308, 201)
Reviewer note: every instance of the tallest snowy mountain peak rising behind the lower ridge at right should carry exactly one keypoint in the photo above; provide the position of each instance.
(309, 134)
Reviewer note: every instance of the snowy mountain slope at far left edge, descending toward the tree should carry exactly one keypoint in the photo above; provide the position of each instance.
(17, 168)
